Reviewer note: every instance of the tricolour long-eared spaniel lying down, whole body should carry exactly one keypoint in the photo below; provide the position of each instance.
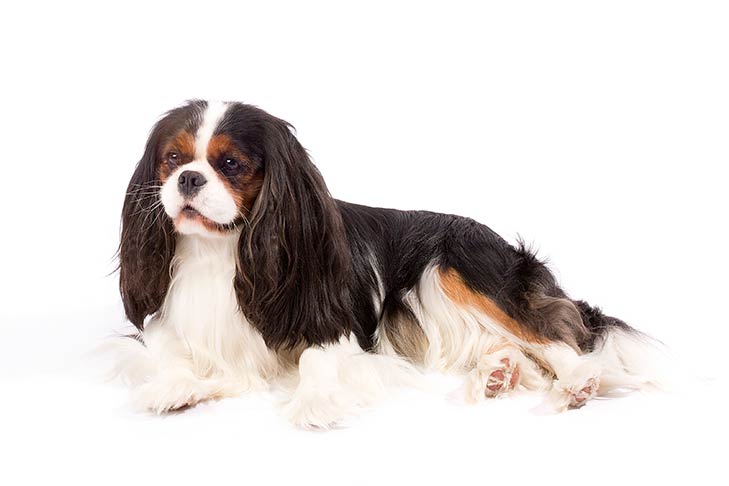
(240, 270)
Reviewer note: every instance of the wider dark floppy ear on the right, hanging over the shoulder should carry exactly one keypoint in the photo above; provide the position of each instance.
(293, 256)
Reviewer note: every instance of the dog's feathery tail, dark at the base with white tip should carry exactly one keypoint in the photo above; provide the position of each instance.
(630, 359)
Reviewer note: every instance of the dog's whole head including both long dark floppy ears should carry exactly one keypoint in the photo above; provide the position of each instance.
(211, 169)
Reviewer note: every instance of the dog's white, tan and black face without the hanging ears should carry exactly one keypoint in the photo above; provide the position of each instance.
(209, 161)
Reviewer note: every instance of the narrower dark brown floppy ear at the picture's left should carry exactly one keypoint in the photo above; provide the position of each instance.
(147, 241)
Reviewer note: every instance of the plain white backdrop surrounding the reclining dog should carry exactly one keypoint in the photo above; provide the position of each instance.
(597, 131)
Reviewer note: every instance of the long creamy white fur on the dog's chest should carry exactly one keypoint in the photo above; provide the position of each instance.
(200, 321)
